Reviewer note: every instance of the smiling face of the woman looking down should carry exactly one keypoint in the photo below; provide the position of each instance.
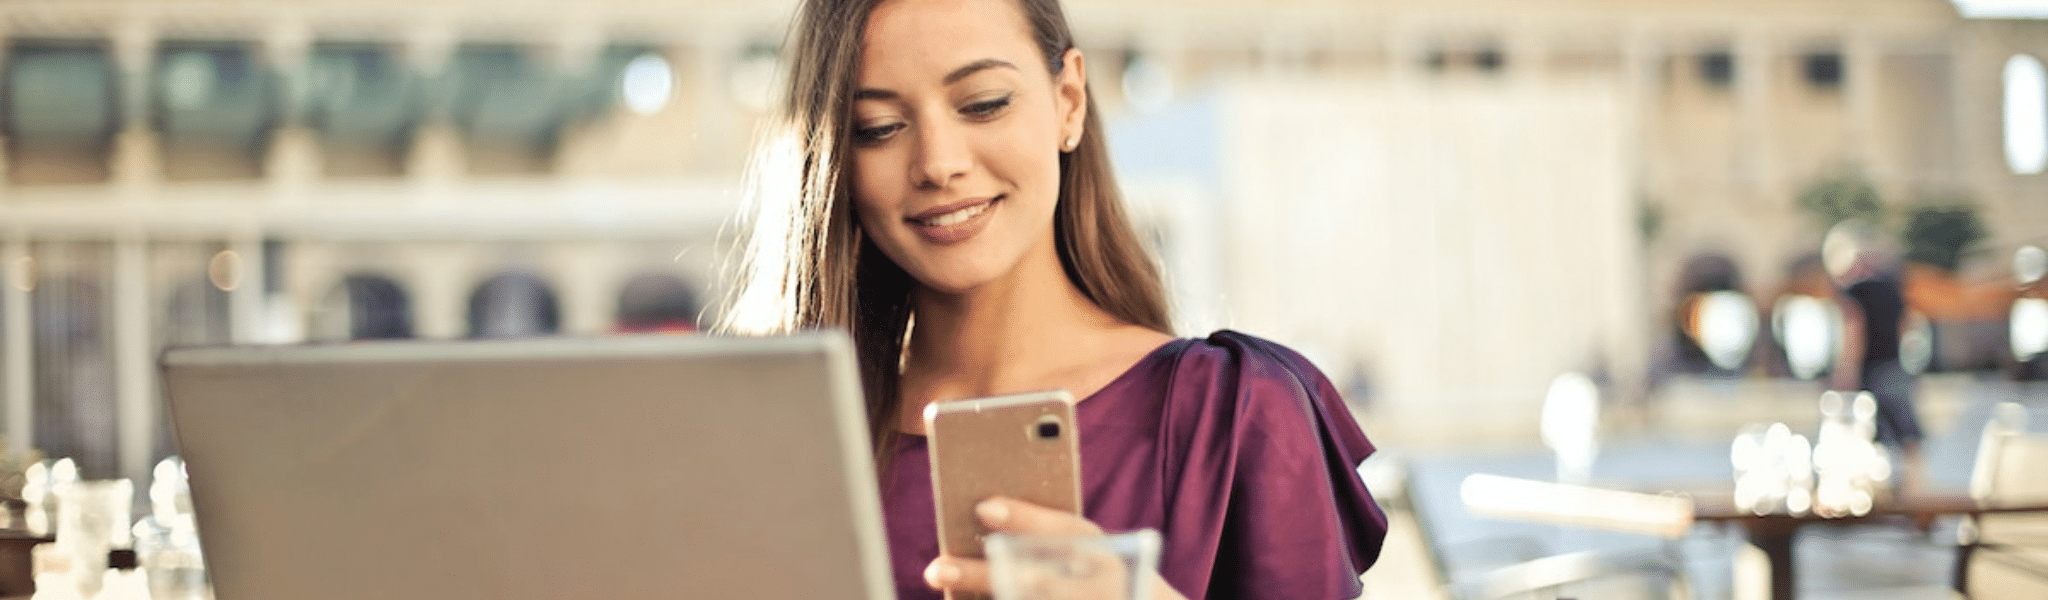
(957, 138)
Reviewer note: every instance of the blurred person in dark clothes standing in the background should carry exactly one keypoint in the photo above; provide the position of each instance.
(1873, 320)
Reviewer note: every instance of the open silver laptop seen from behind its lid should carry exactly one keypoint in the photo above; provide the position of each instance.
(564, 468)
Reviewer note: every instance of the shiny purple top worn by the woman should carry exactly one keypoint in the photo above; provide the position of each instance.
(1236, 449)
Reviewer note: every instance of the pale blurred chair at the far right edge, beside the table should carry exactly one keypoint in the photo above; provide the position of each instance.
(2006, 556)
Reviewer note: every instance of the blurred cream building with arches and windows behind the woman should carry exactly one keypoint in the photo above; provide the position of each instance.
(1445, 204)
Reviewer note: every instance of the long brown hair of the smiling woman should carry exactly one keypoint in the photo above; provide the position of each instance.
(808, 263)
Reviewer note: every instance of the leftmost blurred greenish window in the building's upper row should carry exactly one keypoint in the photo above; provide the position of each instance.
(60, 112)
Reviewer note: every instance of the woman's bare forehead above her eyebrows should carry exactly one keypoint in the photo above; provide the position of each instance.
(912, 42)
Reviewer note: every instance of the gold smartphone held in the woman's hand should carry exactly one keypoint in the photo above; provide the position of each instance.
(1023, 447)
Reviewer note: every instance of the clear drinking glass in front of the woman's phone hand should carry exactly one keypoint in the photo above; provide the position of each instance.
(1056, 568)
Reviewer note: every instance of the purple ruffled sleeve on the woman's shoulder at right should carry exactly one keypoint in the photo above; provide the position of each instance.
(1263, 480)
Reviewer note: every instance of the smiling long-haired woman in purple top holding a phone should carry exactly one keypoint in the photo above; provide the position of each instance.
(955, 210)
